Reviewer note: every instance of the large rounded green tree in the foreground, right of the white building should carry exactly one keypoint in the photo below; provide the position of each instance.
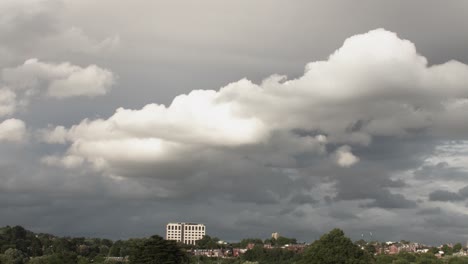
(335, 247)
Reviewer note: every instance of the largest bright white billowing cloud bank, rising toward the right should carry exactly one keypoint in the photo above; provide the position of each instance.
(376, 84)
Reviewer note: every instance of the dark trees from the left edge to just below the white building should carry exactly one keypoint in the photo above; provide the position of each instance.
(20, 246)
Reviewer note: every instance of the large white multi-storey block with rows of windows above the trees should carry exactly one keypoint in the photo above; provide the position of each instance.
(186, 233)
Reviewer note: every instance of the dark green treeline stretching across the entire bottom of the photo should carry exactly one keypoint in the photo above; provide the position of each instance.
(20, 246)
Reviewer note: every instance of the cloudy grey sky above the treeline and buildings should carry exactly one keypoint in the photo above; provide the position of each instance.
(252, 117)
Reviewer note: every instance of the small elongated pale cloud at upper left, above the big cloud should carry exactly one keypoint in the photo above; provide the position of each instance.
(59, 80)
